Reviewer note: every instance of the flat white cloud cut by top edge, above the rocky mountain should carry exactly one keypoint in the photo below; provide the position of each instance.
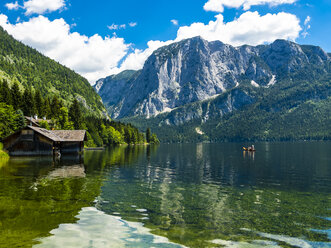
(218, 5)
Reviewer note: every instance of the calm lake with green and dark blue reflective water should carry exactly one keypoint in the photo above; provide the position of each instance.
(176, 195)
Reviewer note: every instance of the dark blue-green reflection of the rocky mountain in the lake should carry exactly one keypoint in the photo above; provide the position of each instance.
(194, 194)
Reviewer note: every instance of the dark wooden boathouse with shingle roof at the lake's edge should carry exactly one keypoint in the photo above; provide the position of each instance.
(32, 140)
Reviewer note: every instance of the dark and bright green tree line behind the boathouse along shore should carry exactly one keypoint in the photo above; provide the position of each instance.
(16, 103)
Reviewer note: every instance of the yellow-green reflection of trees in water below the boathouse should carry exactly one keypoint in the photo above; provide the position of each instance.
(36, 195)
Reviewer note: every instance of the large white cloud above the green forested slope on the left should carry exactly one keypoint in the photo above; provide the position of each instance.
(93, 57)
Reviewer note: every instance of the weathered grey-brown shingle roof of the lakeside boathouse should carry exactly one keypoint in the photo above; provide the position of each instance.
(61, 135)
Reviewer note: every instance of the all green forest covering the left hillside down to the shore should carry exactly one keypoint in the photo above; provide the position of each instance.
(39, 86)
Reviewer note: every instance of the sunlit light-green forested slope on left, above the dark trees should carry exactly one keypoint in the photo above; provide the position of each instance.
(30, 68)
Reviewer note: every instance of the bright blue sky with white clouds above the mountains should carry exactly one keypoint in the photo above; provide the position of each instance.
(103, 37)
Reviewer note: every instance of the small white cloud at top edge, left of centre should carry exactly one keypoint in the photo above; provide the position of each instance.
(42, 6)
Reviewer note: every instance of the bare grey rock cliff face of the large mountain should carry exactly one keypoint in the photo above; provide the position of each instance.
(195, 71)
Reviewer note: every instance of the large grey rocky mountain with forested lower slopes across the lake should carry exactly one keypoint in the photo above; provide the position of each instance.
(196, 90)
